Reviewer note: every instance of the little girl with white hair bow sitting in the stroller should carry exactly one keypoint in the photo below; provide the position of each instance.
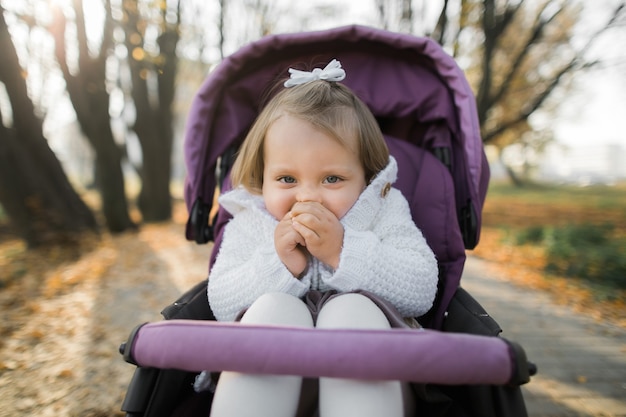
(318, 238)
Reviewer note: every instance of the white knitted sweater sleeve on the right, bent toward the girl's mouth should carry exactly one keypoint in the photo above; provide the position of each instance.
(391, 259)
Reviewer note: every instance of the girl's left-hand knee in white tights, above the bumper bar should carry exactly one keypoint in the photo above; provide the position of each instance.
(278, 308)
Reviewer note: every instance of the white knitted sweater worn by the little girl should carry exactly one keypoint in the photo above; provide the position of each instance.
(383, 252)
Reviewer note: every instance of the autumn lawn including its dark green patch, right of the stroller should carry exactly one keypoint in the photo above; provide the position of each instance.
(567, 240)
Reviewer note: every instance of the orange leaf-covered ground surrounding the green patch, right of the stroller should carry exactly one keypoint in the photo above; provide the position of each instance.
(504, 214)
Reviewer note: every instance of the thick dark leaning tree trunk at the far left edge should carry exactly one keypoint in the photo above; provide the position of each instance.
(34, 190)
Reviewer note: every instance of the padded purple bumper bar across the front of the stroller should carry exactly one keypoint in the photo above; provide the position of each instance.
(425, 356)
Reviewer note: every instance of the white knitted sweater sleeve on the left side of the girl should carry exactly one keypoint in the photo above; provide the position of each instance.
(247, 266)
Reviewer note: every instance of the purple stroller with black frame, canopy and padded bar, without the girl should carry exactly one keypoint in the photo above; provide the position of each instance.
(427, 113)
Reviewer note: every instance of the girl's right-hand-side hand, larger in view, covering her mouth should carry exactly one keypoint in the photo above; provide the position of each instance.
(321, 230)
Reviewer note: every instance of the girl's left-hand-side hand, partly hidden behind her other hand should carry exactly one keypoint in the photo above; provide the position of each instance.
(290, 246)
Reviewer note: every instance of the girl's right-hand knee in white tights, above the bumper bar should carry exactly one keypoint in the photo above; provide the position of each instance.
(352, 310)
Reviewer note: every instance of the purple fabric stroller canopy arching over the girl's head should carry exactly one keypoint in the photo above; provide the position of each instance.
(417, 92)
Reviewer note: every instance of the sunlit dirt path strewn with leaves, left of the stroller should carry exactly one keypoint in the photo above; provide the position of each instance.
(59, 353)
